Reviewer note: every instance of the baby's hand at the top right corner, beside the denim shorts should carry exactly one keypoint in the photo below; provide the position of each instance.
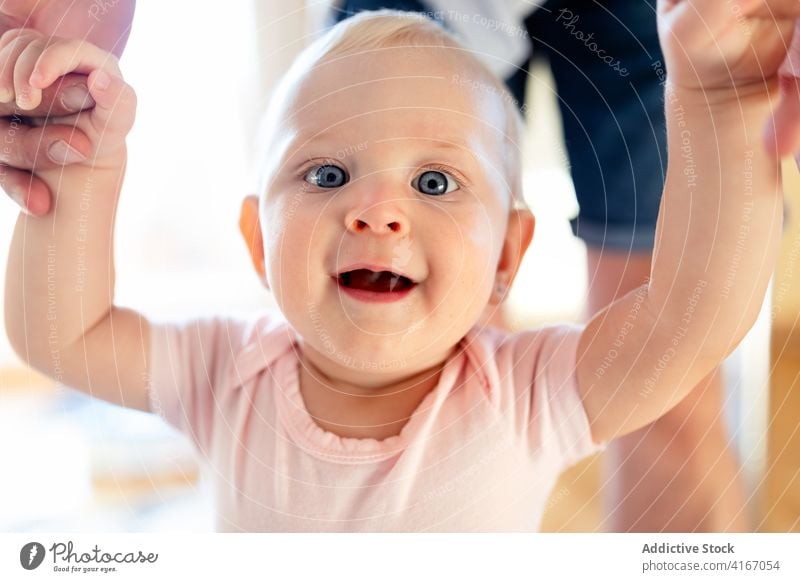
(725, 51)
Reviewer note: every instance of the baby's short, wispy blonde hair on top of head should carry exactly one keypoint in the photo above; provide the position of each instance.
(370, 30)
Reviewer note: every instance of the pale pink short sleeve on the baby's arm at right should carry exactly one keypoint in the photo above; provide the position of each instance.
(559, 422)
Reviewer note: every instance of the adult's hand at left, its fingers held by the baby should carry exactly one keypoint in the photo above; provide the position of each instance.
(24, 135)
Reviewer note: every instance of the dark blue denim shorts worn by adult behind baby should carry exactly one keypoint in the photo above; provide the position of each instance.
(608, 69)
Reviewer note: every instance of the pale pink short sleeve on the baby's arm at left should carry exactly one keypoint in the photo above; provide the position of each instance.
(190, 365)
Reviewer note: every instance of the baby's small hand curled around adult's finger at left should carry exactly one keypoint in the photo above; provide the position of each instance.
(31, 62)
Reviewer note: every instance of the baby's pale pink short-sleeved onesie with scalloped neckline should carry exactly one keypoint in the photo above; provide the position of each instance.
(480, 453)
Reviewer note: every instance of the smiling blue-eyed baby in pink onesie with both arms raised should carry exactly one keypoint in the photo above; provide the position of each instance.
(389, 217)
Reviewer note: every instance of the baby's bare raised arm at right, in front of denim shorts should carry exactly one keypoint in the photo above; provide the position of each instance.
(719, 224)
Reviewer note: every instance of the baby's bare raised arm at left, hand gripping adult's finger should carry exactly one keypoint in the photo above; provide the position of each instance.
(60, 280)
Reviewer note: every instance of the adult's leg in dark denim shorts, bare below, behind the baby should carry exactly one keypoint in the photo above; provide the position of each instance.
(679, 473)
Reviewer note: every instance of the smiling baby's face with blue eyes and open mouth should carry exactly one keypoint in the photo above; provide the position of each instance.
(384, 165)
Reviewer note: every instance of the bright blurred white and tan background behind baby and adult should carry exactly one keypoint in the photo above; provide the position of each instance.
(71, 463)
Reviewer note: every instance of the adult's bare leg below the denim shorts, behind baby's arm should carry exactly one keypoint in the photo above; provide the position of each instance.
(679, 473)
